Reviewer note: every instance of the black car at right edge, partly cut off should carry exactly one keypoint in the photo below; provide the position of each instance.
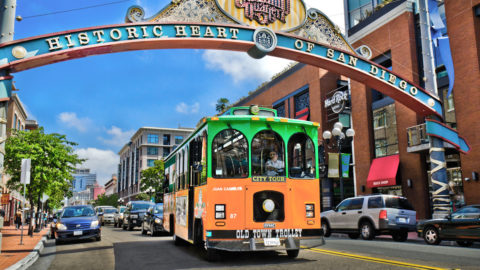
(462, 226)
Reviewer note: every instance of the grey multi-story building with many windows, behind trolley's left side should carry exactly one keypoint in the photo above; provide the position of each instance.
(146, 145)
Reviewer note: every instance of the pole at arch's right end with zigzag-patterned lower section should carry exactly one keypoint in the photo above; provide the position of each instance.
(438, 166)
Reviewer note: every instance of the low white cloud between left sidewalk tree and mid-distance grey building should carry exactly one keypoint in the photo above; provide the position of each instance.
(102, 162)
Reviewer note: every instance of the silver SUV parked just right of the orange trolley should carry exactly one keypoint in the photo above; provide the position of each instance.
(368, 216)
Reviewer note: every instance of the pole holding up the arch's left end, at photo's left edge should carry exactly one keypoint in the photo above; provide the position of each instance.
(7, 21)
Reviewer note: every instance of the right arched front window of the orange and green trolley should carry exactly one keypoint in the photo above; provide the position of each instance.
(301, 157)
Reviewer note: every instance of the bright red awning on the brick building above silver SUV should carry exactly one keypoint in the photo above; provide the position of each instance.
(383, 171)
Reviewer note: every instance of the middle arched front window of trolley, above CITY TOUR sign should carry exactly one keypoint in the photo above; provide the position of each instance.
(268, 154)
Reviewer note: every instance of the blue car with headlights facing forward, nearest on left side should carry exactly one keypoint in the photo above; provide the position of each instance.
(77, 222)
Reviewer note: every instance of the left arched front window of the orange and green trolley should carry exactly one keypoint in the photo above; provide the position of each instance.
(230, 155)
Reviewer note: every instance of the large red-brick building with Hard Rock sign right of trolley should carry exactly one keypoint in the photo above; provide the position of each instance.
(386, 130)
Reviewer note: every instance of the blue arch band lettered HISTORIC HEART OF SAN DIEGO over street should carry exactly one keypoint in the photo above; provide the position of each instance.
(43, 50)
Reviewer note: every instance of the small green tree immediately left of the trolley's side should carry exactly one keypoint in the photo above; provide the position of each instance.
(153, 177)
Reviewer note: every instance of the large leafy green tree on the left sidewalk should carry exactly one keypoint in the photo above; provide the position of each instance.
(52, 163)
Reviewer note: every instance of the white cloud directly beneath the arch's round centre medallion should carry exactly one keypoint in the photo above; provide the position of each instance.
(240, 66)
